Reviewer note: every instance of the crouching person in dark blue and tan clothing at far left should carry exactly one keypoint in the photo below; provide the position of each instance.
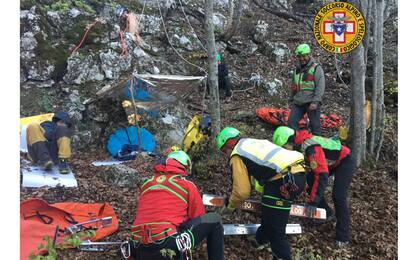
(49, 142)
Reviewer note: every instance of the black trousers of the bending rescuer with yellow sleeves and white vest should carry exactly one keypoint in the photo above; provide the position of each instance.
(275, 216)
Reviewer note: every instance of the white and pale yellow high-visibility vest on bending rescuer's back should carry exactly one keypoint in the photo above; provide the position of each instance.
(265, 153)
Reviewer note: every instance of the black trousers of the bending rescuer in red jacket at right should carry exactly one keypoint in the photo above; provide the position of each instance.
(343, 176)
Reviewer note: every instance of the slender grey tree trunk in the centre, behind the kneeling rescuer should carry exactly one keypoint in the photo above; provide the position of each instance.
(212, 71)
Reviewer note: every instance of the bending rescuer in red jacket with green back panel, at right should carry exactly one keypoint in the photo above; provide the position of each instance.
(326, 157)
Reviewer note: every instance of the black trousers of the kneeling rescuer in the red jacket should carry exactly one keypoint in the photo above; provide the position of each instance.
(214, 233)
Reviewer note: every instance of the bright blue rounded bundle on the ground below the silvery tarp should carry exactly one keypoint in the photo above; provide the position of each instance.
(129, 135)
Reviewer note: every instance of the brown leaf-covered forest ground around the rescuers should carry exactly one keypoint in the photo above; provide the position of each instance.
(373, 193)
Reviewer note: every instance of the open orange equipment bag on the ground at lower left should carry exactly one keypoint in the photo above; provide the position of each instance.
(39, 219)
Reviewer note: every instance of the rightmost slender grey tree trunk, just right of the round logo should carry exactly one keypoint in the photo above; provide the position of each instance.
(377, 118)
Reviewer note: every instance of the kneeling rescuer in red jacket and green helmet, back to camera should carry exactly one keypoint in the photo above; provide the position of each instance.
(170, 214)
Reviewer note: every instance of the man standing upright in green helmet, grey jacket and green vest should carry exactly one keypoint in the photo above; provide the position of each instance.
(308, 86)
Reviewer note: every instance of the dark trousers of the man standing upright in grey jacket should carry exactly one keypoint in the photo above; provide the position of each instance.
(297, 112)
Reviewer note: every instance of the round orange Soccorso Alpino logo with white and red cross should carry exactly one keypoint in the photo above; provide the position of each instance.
(339, 27)
